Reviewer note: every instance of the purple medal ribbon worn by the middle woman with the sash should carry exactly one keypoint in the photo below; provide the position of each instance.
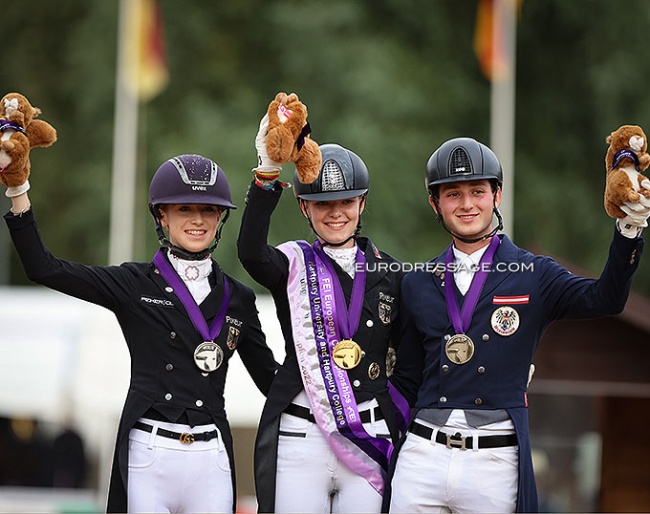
(348, 320)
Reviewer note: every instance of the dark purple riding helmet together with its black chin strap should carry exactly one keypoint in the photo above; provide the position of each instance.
(189, 179)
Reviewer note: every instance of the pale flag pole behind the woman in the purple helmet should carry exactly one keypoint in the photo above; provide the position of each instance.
(125, 142)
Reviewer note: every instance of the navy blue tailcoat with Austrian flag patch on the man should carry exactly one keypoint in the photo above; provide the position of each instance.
(496, 376)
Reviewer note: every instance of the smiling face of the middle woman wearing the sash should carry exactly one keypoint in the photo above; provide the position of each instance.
(334, 221)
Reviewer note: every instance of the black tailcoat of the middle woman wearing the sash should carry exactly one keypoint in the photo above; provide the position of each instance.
(270, 267)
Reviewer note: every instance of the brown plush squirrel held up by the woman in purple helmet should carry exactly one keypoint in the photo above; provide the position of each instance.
(20, 132)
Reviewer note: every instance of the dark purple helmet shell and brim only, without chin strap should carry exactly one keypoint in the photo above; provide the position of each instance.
(190, 179)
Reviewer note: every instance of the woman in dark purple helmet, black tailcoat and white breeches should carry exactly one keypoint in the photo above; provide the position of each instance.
(182, 318)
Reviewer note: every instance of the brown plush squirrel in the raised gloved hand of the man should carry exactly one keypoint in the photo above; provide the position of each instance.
(627, 191)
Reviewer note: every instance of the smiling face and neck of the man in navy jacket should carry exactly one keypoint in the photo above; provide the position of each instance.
(466, 208)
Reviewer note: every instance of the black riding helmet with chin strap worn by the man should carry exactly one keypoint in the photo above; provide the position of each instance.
(462, 159)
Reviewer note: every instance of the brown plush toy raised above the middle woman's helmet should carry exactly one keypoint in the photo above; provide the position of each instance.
(284, 137)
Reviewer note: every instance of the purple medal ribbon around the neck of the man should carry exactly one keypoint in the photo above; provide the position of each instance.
(461, 320)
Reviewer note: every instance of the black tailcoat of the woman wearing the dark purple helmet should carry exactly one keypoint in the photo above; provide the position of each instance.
(160, 337)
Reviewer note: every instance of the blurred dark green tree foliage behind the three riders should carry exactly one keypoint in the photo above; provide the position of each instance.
(389, 79)
